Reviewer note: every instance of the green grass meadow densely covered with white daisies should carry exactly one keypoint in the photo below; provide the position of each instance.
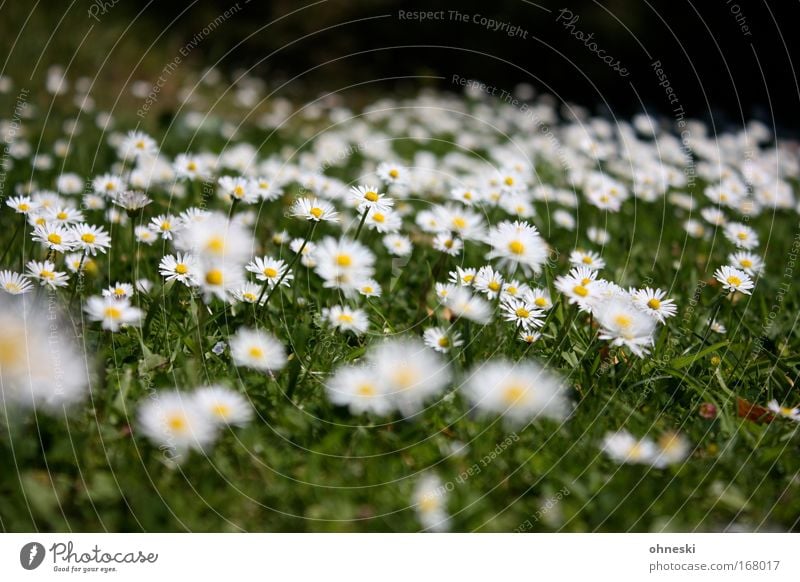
(441, 312)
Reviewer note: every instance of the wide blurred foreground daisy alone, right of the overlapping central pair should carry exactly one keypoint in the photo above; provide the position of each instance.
(521, 392)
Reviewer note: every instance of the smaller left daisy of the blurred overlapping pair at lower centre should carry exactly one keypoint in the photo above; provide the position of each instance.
(361, 389)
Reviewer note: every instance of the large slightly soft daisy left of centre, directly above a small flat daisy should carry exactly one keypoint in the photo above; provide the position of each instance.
(343, 263)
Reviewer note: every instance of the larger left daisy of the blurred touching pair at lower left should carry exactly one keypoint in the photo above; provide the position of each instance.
(173, 421)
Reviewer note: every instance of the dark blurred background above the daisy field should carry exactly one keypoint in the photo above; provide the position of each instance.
(713, 67)
